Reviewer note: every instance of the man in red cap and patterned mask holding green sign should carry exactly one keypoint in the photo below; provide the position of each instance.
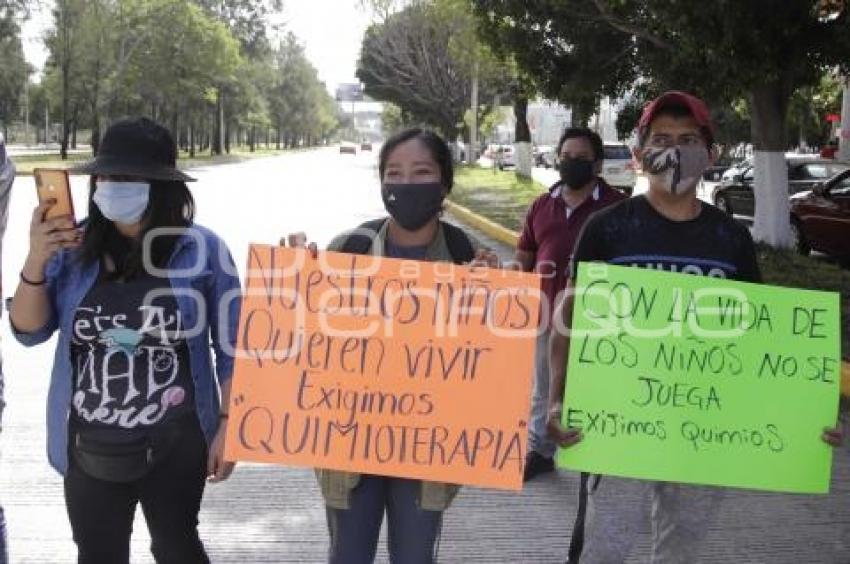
(669, 229)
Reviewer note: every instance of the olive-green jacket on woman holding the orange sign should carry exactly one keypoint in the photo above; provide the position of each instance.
(336, 486)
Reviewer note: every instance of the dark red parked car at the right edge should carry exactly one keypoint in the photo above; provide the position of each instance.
(820, 217)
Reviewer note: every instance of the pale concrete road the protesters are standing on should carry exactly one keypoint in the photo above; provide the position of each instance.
(273, 514)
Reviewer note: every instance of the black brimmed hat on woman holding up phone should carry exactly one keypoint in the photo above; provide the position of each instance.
(136, 147)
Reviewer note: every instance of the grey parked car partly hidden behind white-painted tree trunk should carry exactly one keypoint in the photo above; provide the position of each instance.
(735, 196)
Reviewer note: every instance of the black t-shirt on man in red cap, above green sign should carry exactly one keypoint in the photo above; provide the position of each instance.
(633, 233)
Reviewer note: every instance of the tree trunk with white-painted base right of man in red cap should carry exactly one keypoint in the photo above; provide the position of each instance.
(769, 109)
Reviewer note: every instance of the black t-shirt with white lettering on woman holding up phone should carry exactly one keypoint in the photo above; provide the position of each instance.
(130, 359)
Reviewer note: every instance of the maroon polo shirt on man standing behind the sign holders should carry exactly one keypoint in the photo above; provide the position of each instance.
(551, 230)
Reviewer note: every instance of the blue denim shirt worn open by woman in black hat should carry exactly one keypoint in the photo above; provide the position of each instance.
(208, 294)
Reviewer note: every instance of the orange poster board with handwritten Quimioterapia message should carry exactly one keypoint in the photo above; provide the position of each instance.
(384, 366)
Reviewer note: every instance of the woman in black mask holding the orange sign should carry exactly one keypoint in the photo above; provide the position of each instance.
(416, 173)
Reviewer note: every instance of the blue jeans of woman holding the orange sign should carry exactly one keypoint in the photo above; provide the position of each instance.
(413, 532)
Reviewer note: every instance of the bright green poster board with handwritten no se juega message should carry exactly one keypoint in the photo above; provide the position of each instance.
(685, 378)
